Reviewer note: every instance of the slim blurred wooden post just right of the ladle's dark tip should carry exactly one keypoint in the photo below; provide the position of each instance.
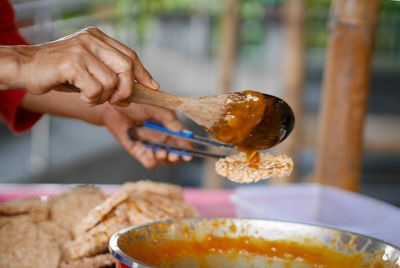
(293, 74)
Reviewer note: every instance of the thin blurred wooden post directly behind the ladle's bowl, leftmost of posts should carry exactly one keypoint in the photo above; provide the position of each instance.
(226, 60)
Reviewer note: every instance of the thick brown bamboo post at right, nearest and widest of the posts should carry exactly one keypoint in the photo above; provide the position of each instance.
(345, 92)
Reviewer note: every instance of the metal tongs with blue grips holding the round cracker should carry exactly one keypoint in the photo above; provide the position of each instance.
(184, 134)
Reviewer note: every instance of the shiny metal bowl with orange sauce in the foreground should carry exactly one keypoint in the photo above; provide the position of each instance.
(306, 245)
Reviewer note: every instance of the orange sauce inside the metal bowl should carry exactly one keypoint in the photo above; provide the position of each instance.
(262, 253)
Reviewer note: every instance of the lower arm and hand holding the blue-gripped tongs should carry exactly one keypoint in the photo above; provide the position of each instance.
(116, 119)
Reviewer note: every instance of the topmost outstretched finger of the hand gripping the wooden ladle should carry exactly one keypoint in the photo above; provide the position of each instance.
(140, 73)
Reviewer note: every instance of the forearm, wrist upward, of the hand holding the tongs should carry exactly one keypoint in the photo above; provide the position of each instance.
(64, 104)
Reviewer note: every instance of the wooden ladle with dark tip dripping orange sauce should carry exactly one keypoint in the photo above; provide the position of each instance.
(249, 120)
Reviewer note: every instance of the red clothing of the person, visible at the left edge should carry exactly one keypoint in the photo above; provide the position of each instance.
(17, 119)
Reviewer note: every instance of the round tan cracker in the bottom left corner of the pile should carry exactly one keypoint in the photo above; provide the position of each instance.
(24, 244)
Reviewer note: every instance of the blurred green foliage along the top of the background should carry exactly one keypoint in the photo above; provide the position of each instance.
(252, 14)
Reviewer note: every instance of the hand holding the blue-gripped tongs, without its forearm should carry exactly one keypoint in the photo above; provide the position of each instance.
(119, 120)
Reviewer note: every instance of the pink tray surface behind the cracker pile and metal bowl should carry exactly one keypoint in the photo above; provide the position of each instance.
(210, 203)
